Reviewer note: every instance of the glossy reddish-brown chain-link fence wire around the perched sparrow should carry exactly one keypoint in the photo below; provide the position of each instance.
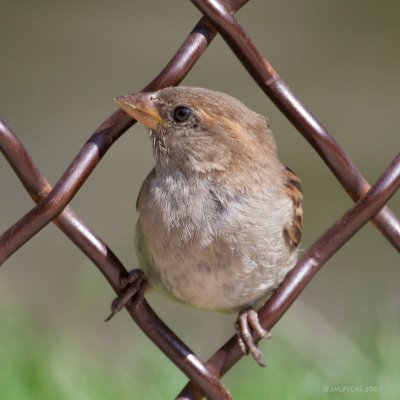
(52, 203)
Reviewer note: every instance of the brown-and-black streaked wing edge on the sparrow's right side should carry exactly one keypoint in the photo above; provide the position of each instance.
(292, 231)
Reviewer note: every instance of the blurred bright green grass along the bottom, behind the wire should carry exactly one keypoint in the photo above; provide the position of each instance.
(37, 365)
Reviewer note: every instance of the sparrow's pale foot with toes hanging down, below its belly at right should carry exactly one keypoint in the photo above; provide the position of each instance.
(249, 330)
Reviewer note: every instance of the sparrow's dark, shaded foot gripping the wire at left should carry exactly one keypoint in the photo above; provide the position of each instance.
(132, 288)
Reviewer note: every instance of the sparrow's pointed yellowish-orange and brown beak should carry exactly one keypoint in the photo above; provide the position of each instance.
(141, 106)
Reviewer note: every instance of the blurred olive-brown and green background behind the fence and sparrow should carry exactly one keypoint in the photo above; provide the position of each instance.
(62, 64)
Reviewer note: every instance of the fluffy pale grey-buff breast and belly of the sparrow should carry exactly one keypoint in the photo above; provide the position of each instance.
(212, 248)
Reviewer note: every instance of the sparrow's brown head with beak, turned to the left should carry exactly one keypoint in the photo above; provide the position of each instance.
(202, 131)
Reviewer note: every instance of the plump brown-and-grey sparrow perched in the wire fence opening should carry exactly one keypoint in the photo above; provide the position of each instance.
(220, 217)
